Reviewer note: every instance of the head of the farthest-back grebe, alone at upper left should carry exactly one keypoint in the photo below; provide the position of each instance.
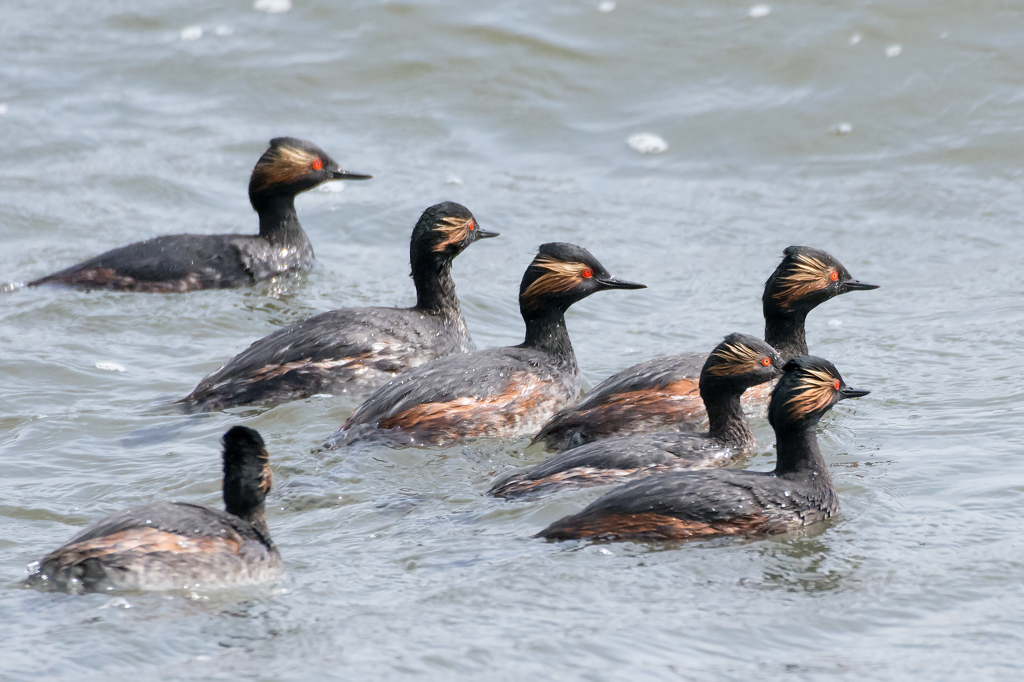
(291, 166)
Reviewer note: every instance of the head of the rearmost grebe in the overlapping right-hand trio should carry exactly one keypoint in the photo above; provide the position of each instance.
(805, 279)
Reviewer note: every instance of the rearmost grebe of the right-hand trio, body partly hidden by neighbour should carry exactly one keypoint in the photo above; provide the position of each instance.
(663, 394)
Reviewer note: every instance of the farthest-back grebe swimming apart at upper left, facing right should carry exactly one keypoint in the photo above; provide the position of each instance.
(189, 263)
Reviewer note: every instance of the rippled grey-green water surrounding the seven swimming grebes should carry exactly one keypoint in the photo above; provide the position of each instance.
(787, 127)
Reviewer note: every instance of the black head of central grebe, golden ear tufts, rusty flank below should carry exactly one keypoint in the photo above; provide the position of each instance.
(562, 275)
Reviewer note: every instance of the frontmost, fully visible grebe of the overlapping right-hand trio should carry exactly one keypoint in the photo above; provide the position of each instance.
(679, 505)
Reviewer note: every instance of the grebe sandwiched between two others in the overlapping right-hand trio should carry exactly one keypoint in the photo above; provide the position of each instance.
(736, 365)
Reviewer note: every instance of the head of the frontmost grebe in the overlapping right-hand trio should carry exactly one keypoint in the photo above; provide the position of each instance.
(809, 388)
